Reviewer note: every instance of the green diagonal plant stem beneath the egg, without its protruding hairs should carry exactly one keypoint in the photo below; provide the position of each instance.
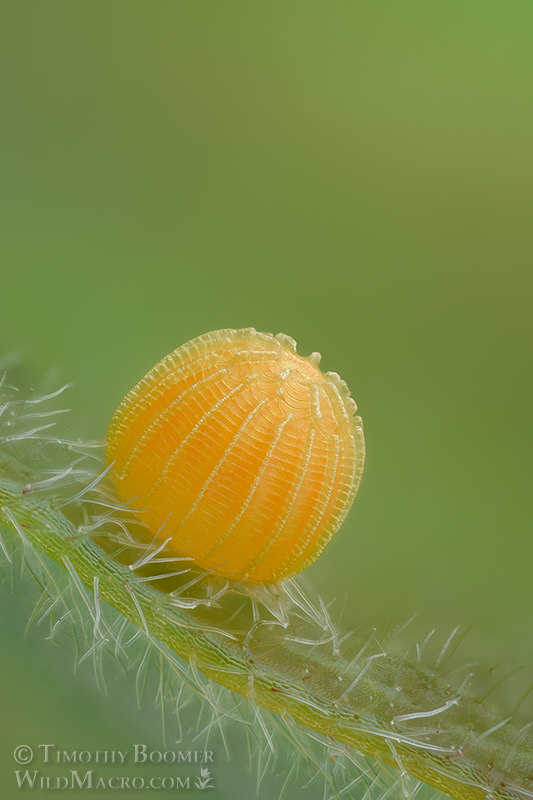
(462, 750)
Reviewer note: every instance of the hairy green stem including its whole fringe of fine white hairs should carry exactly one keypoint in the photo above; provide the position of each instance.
(271, 661)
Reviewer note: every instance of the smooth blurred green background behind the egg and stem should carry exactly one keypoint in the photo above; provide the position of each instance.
(357, 175)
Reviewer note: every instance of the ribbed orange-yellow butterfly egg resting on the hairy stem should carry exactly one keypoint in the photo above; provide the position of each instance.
(241, 452)
